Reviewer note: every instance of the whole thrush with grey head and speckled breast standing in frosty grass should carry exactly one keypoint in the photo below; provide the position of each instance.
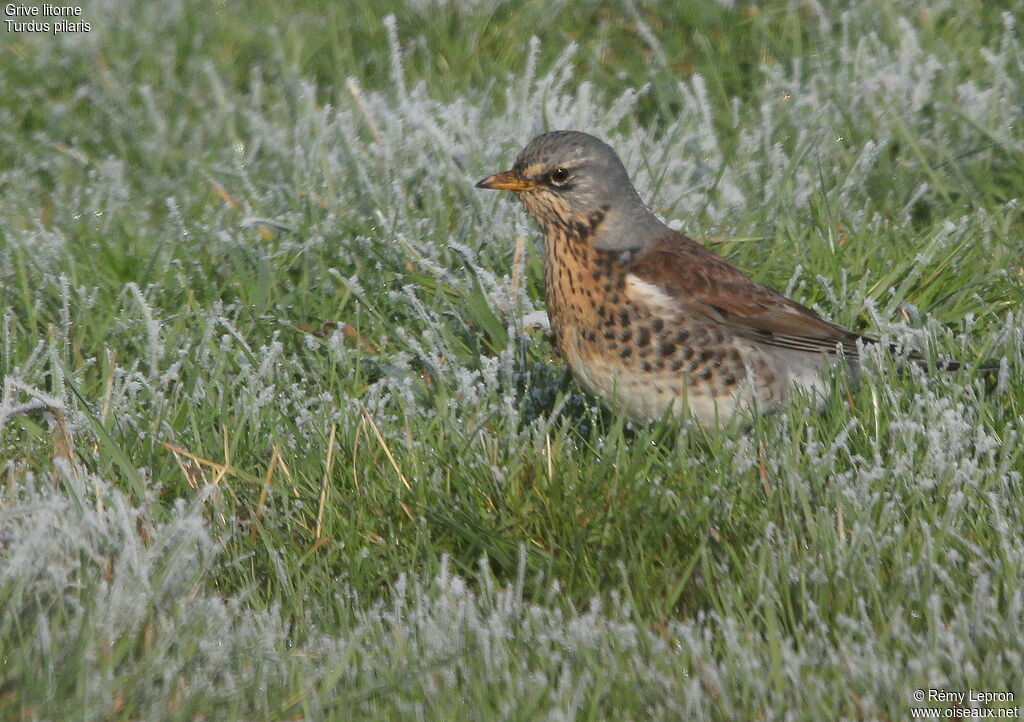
(651, 321)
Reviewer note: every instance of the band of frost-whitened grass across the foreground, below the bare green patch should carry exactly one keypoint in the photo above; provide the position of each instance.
(106, 611)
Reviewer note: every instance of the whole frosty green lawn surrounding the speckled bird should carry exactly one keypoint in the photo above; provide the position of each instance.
(305, 461)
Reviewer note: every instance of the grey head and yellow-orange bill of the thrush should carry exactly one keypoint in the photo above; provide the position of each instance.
(574, 183)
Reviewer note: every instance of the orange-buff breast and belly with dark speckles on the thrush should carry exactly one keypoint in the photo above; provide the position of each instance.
(635, 350)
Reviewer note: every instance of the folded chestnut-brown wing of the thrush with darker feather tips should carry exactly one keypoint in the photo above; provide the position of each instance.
(708, 285)
